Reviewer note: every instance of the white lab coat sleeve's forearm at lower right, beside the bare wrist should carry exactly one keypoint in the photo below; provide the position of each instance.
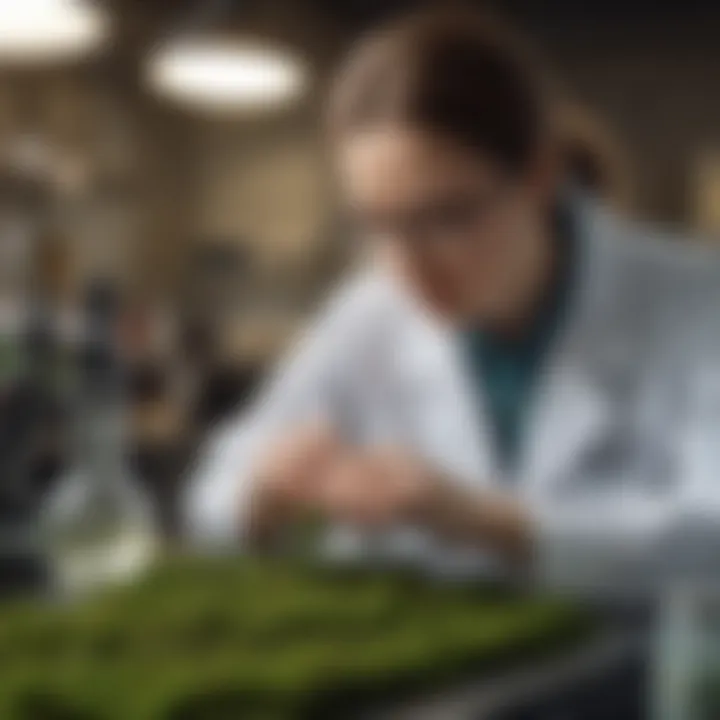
(626, 547)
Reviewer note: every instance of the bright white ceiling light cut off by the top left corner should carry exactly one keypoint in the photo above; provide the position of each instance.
(49, 30)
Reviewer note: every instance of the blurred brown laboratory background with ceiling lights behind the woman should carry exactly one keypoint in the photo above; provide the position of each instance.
(171, 151)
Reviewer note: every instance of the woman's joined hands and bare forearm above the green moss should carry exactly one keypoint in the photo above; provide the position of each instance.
(312, 471)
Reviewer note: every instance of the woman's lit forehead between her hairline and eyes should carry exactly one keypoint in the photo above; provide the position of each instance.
(391, 165)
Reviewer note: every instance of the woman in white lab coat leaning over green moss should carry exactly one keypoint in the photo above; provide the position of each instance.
(516, 375)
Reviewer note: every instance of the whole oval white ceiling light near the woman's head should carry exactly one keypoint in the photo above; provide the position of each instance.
(223, 75)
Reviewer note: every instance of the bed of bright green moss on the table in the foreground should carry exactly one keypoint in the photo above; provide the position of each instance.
(251, 640)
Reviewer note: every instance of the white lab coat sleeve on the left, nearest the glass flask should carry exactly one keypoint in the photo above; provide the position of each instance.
(302, 391)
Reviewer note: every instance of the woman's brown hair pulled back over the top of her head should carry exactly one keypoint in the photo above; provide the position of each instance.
(453, 71)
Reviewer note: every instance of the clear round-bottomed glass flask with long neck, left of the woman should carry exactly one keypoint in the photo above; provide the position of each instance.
(99, 523)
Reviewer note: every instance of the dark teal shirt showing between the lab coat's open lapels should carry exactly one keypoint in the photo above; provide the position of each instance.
(506, 369)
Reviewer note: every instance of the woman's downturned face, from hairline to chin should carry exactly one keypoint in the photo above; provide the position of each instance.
(462, 235)
